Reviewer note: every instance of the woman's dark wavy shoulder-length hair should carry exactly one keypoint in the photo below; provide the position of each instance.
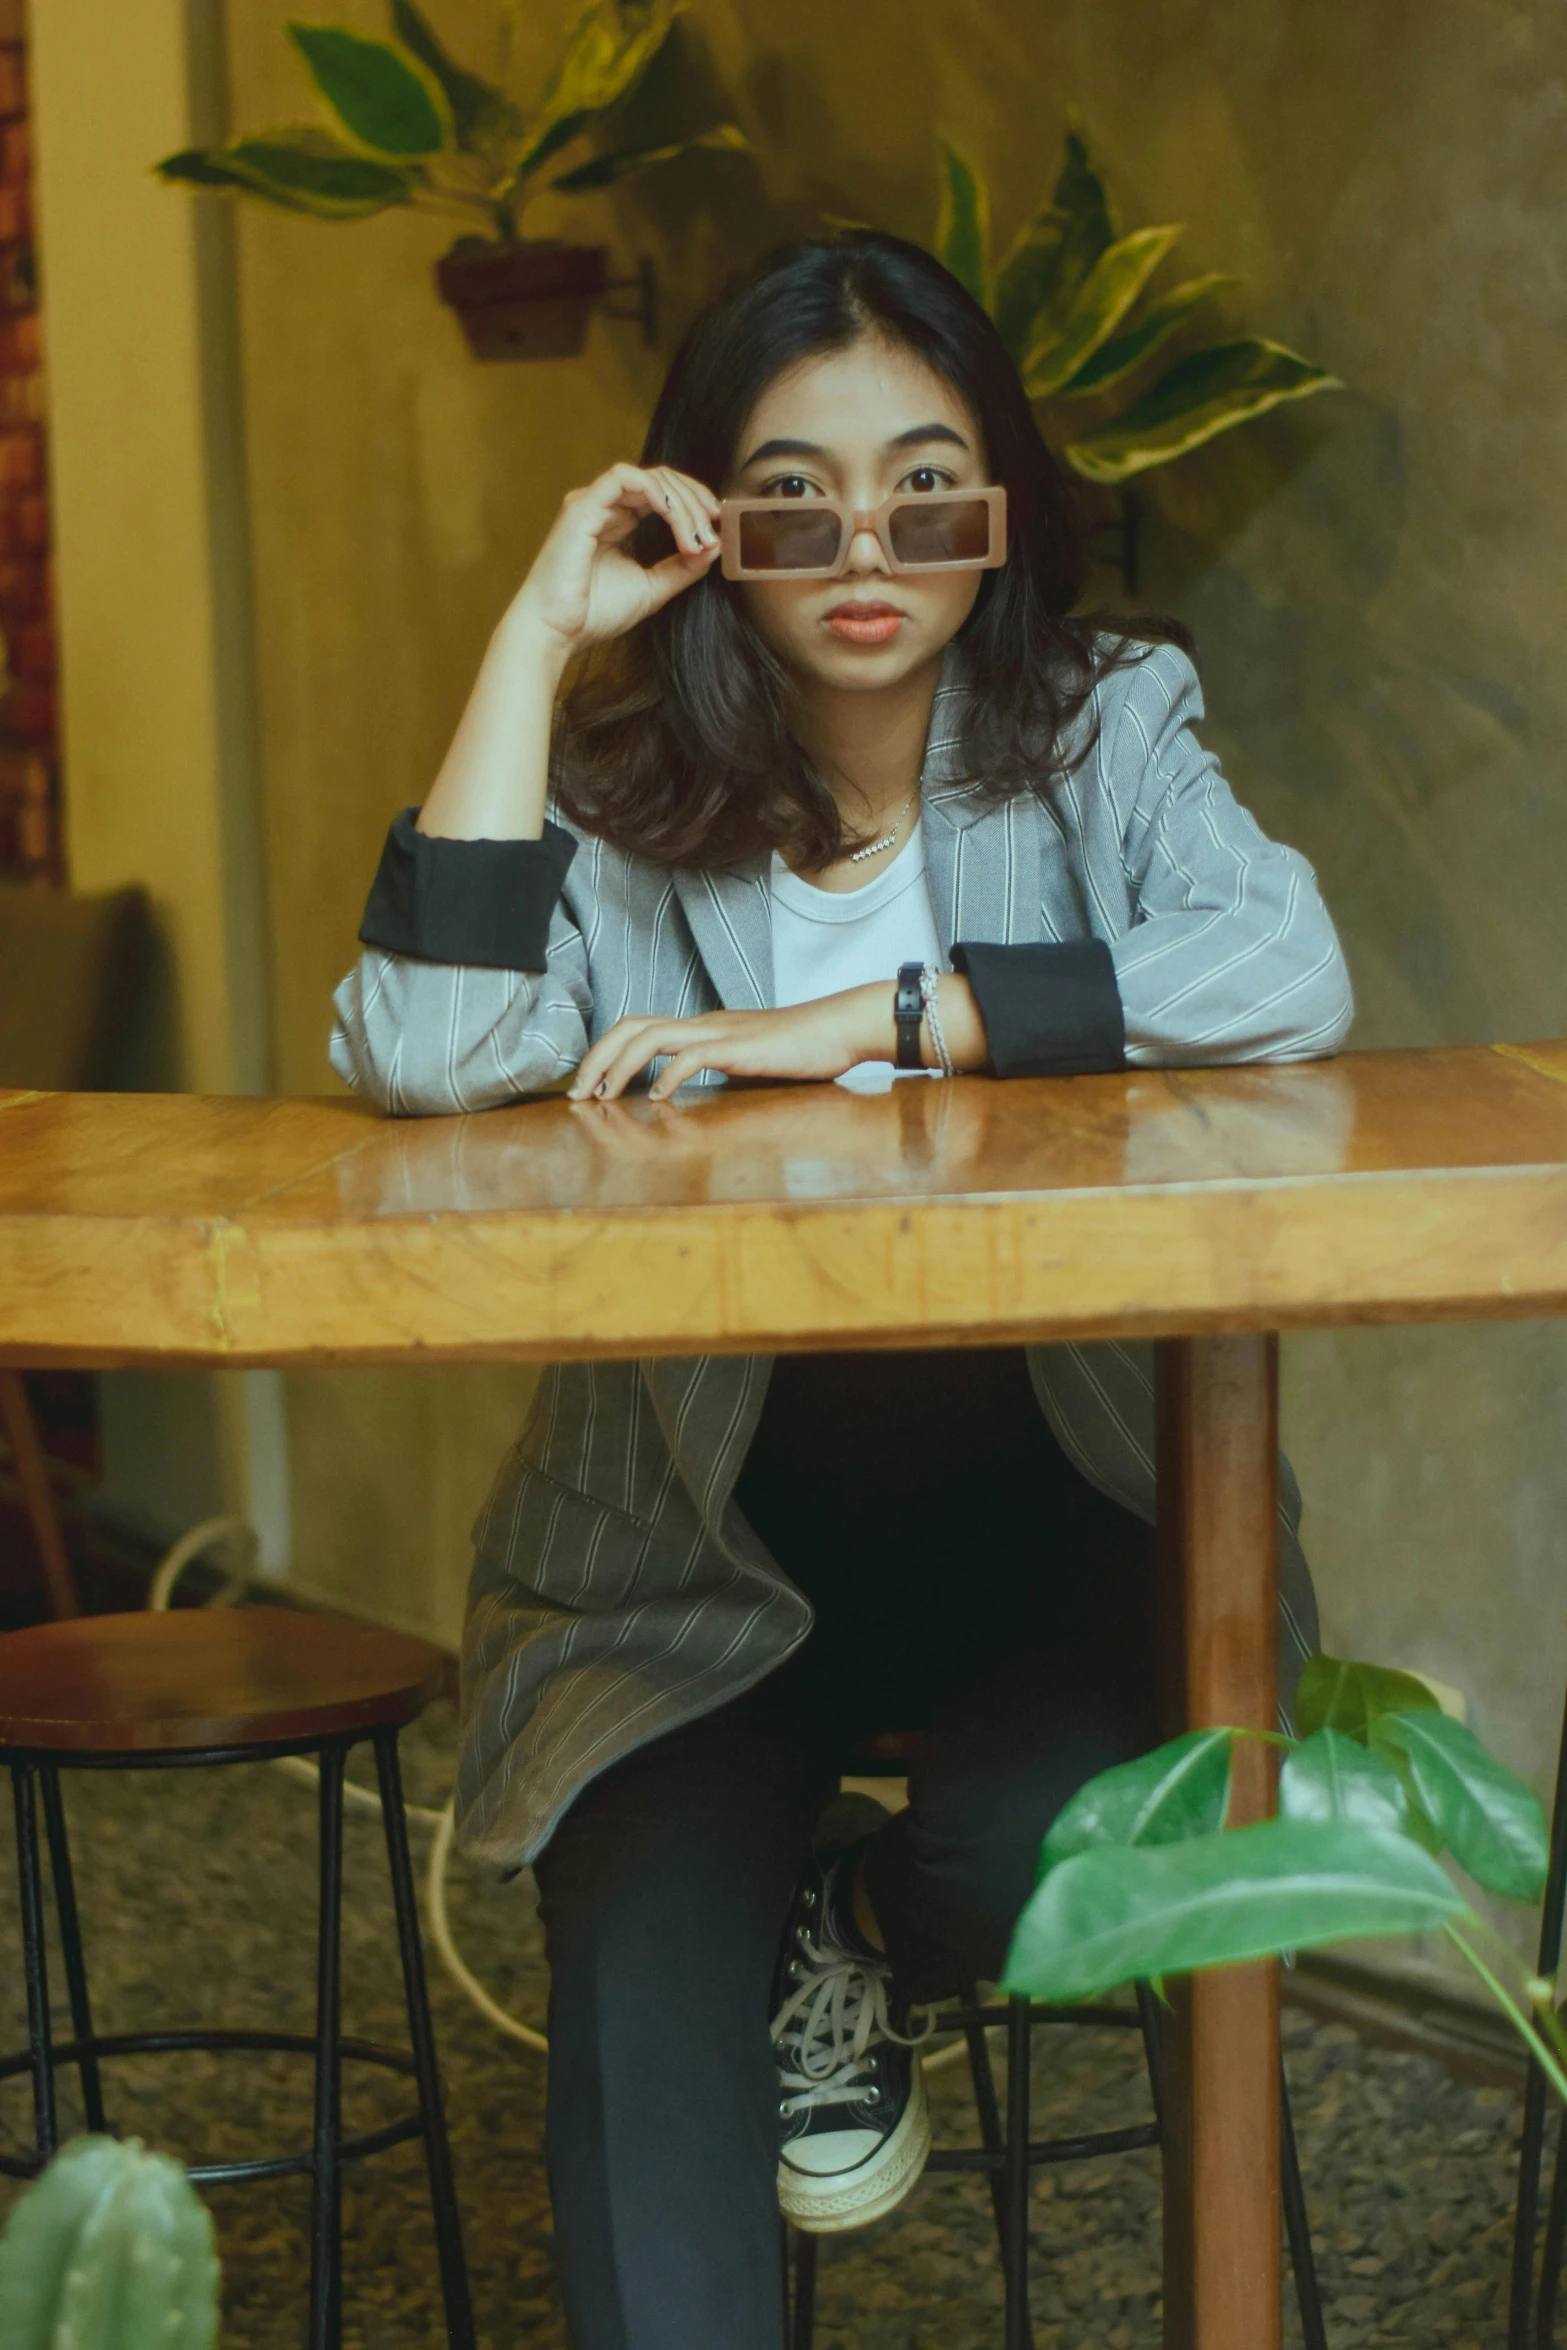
(678, 741)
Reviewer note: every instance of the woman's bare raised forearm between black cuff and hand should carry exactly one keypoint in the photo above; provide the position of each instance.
(497, 774)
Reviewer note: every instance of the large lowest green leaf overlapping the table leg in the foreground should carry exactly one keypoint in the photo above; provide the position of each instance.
(1124, 1914)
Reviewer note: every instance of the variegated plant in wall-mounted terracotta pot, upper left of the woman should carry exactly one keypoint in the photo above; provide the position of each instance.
(415, 128)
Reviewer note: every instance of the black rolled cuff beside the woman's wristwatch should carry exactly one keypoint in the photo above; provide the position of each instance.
(1049, 1012)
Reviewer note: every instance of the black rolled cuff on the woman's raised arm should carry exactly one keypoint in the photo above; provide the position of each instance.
(466, 901)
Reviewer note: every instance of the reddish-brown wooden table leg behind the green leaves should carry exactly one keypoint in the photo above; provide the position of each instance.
(1218, 1517)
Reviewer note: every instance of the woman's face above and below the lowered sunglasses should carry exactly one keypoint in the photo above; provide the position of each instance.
(861, 424)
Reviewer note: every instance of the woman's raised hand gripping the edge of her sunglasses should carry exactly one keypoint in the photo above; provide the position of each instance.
(586, 589)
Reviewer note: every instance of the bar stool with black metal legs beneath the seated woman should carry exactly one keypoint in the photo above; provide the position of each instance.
(1009, 2154)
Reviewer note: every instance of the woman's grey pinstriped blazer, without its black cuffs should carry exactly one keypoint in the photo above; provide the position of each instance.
(617, 1587)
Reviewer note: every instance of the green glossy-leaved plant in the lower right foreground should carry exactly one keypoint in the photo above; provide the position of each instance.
(1141, 1879)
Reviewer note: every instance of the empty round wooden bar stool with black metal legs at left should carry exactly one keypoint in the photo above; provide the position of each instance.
(231, 1686)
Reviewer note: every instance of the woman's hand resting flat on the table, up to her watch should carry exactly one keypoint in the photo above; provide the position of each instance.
(805, 1040)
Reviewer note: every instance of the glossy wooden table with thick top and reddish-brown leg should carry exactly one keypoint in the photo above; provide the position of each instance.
(1206, 1209)
